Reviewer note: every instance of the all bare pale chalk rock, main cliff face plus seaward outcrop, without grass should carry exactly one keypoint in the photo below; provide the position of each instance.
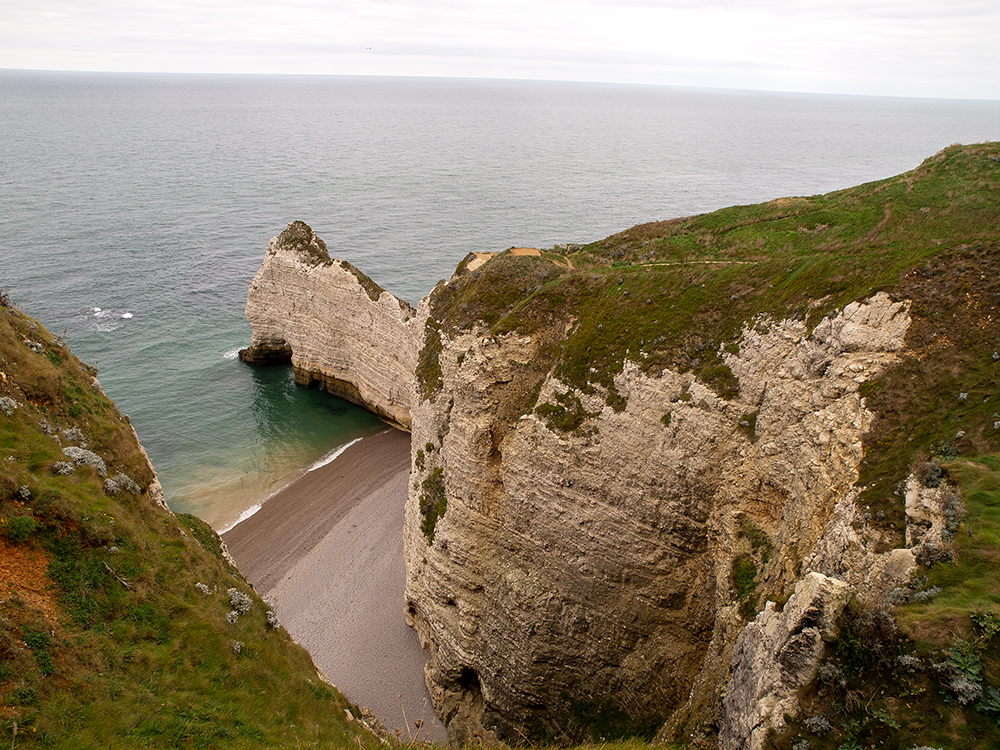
(561, 578)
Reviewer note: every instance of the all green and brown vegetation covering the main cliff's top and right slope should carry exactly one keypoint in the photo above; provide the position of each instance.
(677, 294)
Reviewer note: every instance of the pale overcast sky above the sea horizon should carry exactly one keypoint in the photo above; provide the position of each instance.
(919, 48)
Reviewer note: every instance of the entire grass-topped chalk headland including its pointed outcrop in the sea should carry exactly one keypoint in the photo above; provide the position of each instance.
(656, 478)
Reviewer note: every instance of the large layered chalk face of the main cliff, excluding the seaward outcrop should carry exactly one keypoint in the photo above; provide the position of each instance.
(572, 580)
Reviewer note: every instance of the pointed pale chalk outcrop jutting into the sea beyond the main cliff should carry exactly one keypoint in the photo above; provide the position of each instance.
(339, 329)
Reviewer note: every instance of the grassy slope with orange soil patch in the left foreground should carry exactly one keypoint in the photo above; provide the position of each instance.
(115, 622)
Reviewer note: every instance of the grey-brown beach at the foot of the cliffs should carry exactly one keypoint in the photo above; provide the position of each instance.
(328, 550)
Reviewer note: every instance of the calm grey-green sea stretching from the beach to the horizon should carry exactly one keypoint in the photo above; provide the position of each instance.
(135, 209)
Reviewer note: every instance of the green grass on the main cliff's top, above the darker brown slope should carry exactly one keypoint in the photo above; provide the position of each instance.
(676, 293)
